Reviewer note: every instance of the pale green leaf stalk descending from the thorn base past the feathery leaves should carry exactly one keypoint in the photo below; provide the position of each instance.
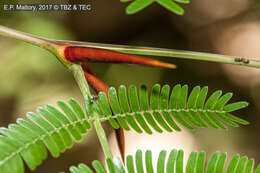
(83, 85)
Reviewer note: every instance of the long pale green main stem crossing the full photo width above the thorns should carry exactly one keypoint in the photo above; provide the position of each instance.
(52, 46)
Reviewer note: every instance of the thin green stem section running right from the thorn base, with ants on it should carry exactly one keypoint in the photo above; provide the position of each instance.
(139, 50)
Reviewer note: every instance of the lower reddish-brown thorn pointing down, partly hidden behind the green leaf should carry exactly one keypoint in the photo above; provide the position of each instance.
(99, 86)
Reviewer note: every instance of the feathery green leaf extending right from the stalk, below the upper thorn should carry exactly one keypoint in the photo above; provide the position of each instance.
(166, 109)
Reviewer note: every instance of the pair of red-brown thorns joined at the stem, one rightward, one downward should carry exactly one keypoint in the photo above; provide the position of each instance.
(82, 55)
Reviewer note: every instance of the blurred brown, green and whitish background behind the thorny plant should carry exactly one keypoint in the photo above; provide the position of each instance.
(31, 77)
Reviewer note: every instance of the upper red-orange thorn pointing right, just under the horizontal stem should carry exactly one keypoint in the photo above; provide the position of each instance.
(86, 54)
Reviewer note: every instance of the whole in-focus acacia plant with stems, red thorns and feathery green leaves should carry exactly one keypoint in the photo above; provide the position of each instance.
(165, 108)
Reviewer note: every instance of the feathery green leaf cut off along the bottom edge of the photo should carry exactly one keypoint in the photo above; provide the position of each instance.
(173, 163)
